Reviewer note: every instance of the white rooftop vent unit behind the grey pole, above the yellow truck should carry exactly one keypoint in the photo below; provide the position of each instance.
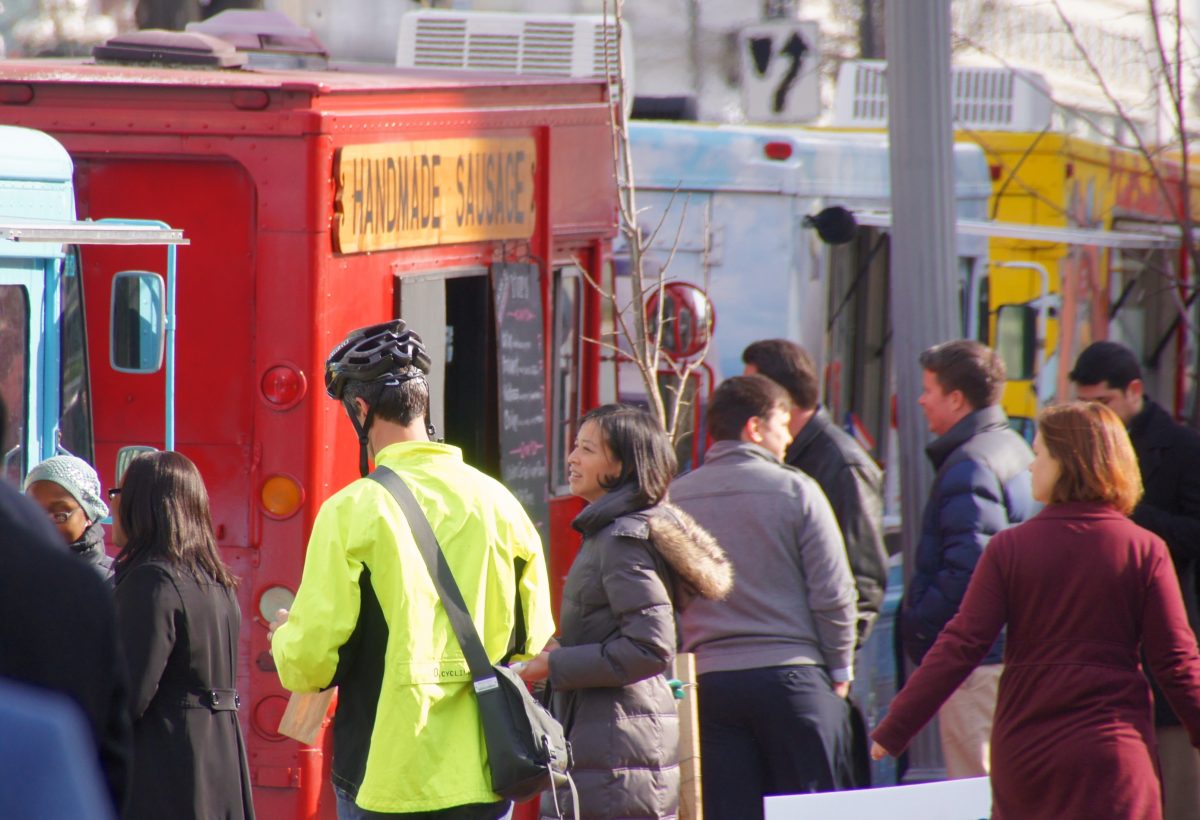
(982, 98)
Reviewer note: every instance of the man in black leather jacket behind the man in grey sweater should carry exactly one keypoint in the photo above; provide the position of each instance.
(851, 481)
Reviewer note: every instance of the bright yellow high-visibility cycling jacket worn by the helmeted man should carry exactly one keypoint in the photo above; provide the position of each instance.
(367, 618)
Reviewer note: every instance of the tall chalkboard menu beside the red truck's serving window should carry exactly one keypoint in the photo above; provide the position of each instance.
(523, 388)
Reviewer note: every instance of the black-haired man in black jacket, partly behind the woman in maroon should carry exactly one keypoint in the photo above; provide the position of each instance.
(1169, 458)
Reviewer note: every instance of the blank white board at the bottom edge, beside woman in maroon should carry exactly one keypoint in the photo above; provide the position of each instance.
(951, 800)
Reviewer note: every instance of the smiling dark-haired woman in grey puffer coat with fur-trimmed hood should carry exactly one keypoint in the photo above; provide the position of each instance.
(641, 560)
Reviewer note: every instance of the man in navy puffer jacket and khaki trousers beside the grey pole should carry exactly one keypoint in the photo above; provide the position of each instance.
(982, 487)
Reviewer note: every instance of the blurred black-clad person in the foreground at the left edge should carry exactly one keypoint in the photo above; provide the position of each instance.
(58, 630)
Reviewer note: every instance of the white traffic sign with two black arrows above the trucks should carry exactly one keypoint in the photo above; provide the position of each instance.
(779, 71)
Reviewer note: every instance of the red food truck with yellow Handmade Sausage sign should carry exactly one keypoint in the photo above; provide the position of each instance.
(316, 202)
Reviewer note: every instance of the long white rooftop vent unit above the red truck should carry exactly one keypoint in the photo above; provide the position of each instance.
(545, 45)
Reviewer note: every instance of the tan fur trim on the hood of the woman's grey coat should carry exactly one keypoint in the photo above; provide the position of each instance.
(693, 553)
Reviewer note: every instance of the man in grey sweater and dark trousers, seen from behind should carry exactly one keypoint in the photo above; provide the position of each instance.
(776, 657)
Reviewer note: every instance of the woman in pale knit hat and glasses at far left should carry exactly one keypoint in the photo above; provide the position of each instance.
(69, 490)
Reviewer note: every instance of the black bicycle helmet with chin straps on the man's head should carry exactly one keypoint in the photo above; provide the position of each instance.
(387, 355)
